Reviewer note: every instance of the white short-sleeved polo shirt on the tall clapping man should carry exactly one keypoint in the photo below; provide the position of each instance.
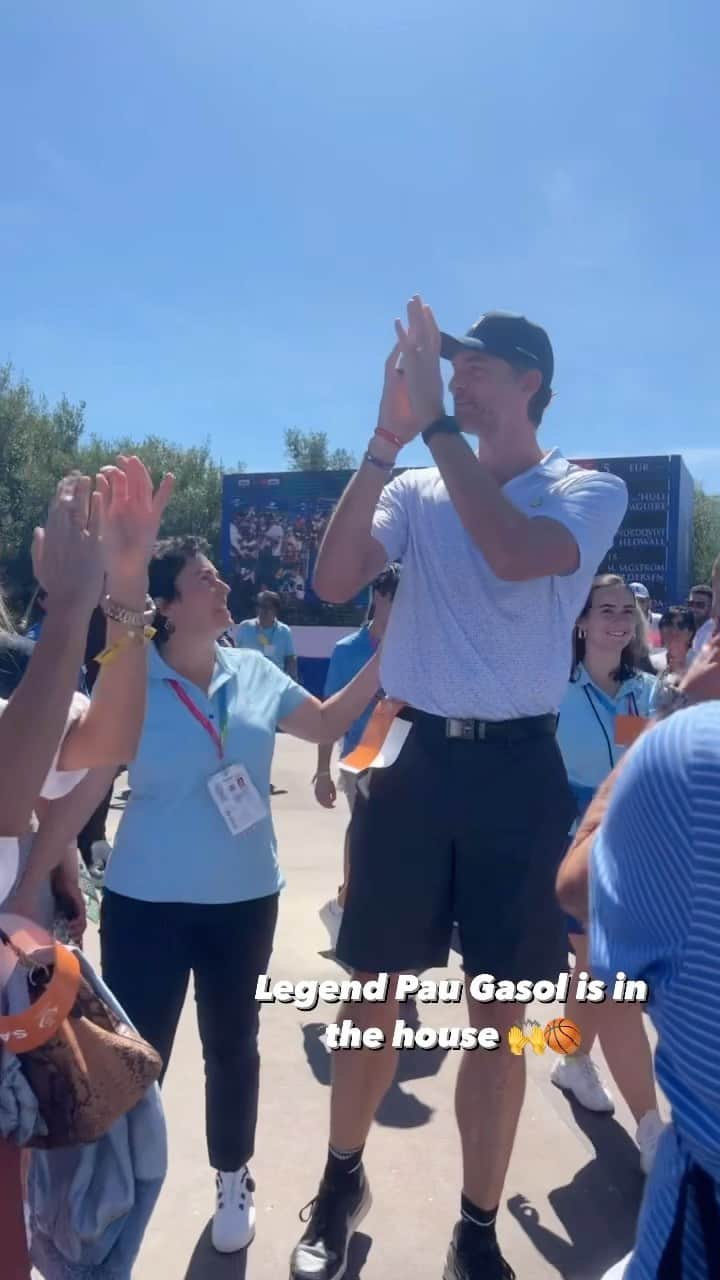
(464, 643)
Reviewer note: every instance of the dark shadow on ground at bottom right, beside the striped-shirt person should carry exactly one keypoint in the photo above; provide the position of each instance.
(609, 1190)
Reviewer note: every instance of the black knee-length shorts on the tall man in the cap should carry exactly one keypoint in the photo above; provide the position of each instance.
(467, 833)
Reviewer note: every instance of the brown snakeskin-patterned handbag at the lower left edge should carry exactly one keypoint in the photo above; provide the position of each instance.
(89, 1068)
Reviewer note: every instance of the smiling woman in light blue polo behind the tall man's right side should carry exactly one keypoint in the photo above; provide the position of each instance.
(604, 685)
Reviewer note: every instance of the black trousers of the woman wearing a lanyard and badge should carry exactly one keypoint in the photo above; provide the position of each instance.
(151, 949)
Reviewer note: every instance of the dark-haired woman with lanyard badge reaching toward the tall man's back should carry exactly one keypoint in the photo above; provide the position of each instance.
(193, 885)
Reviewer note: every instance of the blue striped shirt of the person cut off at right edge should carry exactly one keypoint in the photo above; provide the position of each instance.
(655, 915)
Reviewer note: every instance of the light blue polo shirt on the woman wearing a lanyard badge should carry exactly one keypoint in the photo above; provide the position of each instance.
(172, 844)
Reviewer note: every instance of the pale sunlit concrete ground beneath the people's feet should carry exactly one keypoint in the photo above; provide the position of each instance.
(575, 1185)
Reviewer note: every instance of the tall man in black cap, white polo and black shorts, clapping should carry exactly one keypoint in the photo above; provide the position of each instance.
(499, 551)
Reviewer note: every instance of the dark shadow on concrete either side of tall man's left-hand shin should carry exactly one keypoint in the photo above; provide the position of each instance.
(399, 1109)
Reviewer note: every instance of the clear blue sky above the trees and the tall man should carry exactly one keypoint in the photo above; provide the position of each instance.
(211, 214)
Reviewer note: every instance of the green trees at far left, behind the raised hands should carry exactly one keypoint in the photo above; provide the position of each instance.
(39, 445)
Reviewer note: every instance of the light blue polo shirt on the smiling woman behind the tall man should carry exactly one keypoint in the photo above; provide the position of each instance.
(586, 730)
